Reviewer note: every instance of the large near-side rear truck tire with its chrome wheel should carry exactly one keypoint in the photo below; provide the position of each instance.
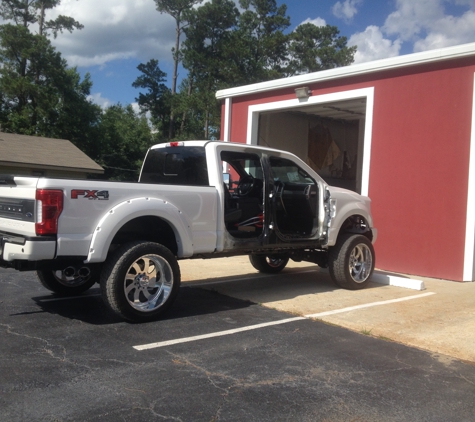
(140, 281)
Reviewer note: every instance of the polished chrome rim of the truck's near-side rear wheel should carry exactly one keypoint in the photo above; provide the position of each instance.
(148, 283)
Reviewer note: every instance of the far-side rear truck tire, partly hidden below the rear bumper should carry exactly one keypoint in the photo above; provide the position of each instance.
(68, 285)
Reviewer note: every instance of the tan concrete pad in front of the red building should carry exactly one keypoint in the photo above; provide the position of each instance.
(443, 323)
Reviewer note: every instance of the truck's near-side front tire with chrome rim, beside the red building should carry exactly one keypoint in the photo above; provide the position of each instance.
(351, 261)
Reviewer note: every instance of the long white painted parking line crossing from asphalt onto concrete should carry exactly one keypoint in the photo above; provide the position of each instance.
(268, 324)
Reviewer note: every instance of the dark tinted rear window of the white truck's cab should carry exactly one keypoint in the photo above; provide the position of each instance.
(176, 166)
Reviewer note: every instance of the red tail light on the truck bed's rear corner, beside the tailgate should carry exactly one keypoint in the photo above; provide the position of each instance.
(48, 208)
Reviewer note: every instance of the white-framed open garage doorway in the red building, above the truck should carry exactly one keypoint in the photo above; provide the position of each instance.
(331, 133)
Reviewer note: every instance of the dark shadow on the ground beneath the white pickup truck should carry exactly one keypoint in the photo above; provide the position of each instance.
(203, 296)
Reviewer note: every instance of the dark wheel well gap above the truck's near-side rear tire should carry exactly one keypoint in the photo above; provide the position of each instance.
(148, 228)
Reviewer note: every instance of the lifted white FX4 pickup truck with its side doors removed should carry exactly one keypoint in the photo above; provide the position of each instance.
(194, 199)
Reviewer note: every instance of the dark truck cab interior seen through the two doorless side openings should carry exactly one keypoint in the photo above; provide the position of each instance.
(294, 201)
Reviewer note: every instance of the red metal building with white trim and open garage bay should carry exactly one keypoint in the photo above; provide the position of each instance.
(399, 130)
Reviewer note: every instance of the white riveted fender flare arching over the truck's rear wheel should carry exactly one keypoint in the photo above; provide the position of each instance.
(128, 210)
